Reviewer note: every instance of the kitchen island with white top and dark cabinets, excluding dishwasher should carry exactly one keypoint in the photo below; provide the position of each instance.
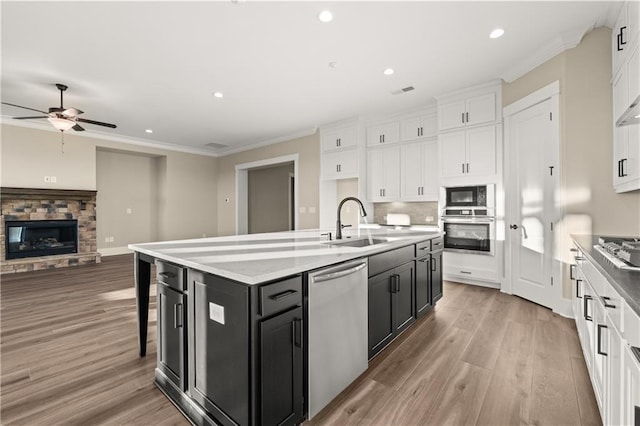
(233, 329)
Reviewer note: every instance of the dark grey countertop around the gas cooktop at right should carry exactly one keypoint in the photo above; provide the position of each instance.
(625, 282)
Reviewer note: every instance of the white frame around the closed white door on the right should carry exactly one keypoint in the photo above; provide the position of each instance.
(552, 92)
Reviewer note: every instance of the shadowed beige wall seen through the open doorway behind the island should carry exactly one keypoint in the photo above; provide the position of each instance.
(269, 204)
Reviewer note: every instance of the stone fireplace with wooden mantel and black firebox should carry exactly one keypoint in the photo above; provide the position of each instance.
(44, 208)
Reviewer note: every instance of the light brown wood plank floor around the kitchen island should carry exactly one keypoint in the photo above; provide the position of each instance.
(69, 357)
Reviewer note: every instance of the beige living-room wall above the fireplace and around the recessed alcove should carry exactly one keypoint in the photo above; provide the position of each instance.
(186, 183)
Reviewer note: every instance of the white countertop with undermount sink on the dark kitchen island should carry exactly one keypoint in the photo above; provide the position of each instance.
(258, 258)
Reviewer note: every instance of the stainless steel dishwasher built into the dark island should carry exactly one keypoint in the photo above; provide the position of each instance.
(338, 330)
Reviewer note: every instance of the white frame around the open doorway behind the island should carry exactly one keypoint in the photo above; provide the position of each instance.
(242, 189)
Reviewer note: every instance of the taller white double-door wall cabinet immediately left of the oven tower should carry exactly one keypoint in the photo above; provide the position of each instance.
(419, 171)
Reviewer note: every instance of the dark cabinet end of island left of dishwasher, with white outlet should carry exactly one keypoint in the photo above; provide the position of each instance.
(230, 353)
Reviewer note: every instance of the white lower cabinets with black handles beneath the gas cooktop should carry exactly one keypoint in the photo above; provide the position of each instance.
(613, 368)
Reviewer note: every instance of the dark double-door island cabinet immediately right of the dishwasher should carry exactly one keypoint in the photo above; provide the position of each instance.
(391, 297)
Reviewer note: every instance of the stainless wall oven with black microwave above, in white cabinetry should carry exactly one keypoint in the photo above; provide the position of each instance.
(468, 219)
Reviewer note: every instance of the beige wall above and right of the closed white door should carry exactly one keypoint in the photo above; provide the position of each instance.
(586, 146)
